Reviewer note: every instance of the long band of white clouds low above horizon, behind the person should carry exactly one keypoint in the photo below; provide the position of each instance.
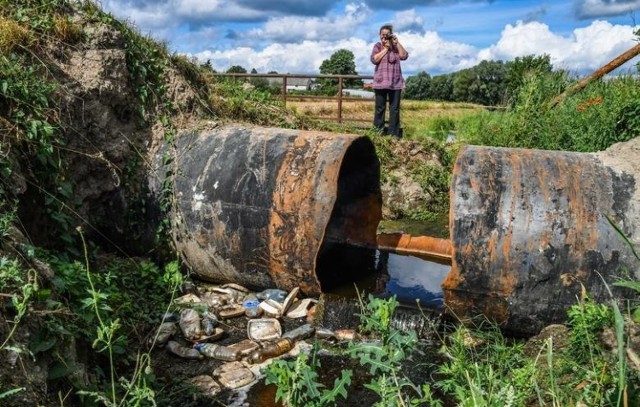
(586, 49)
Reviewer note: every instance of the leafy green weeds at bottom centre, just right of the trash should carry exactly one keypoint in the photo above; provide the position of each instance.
(382, 354)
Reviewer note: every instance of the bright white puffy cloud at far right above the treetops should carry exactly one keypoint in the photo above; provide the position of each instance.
(587, 48)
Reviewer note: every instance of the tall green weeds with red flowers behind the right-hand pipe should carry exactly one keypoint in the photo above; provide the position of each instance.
(592, 120)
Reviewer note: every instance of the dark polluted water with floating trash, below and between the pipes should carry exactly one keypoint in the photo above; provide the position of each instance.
(258, 326)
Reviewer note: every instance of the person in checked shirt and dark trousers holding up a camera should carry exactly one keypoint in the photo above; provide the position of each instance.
(387, 79)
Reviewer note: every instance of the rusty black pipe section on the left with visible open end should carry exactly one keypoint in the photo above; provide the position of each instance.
(257, 206)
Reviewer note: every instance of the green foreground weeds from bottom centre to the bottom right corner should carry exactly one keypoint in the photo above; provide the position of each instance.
(478, 366)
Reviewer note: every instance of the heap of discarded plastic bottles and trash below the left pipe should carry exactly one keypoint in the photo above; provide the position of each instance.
(206, 313)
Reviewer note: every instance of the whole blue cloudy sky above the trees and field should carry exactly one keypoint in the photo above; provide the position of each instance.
(441, 36)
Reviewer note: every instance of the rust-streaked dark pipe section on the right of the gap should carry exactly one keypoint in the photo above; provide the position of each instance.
(529, 229)
